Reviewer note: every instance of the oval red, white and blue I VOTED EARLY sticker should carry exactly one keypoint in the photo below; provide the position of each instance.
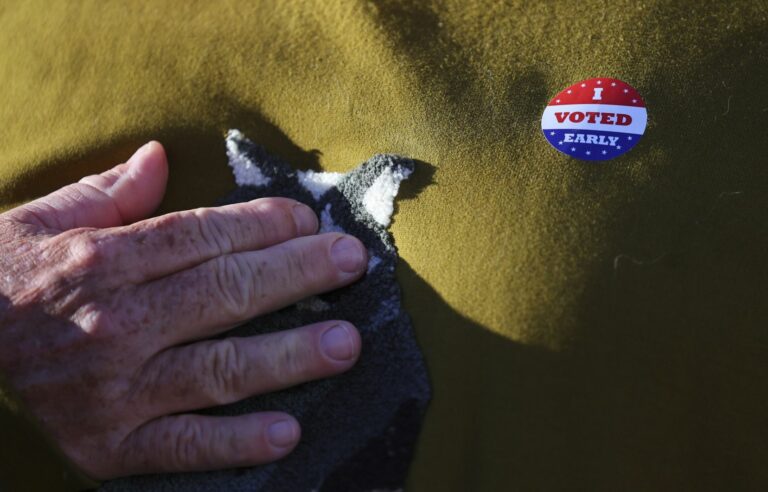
(595, 119)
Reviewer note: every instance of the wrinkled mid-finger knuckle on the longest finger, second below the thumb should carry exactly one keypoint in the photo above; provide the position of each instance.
(236, 283)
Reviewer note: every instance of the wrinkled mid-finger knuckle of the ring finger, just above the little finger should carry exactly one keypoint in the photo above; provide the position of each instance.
(225, 365)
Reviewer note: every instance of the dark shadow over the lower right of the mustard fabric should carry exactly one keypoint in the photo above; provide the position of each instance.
(664, 385)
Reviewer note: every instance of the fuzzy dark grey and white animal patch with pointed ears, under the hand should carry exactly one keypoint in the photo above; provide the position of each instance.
(359, 428)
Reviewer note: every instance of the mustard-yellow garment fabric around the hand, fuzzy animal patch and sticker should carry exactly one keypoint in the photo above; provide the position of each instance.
(586, 326)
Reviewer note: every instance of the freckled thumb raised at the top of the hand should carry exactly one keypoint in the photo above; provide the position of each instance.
(124, 194)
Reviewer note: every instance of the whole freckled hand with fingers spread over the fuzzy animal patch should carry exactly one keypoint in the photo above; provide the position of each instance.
(100, 313)
